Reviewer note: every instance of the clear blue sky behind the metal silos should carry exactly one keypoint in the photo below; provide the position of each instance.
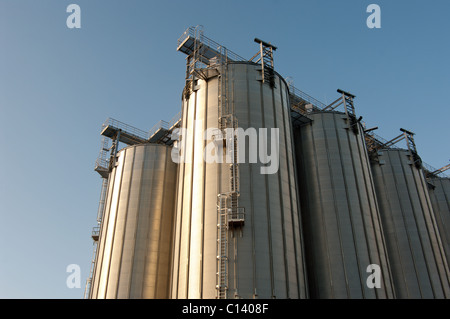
(58, 85)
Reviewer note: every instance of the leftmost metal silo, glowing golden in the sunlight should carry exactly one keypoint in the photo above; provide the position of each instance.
(134, 250)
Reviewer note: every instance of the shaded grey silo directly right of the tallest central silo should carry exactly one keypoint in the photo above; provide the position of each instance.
(341, 221)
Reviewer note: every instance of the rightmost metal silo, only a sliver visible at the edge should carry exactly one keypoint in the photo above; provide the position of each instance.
(440, 200)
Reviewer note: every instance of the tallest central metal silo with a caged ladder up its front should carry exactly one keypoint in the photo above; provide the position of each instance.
(265, 255)
